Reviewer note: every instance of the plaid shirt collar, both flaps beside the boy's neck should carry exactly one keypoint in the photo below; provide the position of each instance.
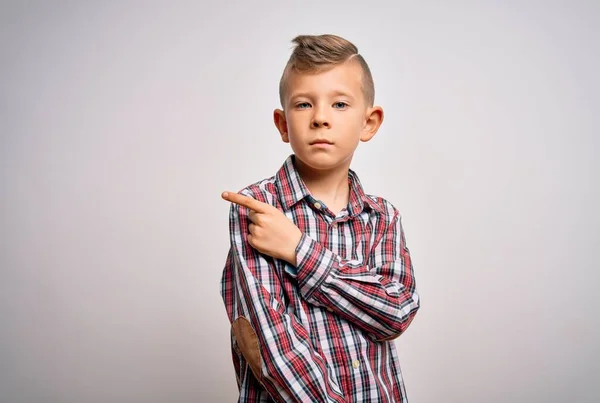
(291, 189)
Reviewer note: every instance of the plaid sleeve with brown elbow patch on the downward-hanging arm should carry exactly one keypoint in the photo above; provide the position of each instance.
(275, 344)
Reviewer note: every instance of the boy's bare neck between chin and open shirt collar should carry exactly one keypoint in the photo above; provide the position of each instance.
(330, 186)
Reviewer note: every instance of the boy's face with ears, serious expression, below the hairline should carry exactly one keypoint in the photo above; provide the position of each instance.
(325, 116)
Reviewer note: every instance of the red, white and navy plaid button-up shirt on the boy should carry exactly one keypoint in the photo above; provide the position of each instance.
(321, 331)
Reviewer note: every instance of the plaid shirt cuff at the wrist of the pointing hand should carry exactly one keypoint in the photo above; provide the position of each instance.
(313, 264)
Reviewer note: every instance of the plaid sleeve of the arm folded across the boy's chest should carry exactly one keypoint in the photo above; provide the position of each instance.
(380, 299)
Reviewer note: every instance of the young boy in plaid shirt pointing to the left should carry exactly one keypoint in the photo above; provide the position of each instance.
(318, 280)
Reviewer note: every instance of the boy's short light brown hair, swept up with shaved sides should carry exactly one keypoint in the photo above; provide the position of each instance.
(314, 53)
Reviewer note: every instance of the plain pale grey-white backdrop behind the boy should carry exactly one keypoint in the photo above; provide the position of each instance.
(122, 122)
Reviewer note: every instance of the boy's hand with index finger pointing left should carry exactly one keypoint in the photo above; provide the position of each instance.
(271, 232)
